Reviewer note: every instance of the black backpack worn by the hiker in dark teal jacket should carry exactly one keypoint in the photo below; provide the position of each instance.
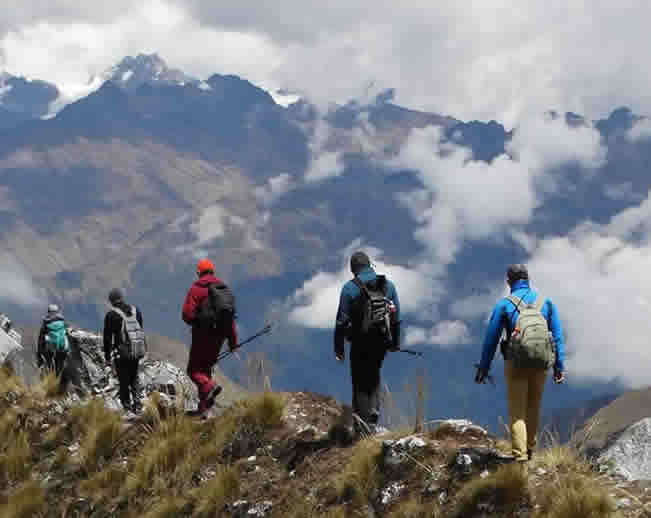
(375, 311)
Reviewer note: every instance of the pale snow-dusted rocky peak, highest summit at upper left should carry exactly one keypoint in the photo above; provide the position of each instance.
(132, 72)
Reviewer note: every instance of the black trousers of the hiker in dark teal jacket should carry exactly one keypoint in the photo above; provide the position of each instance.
(366, 360)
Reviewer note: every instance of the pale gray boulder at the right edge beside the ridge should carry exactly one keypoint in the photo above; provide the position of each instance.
(630, 454)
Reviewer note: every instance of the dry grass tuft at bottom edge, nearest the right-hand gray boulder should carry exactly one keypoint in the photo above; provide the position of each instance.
(573, 496)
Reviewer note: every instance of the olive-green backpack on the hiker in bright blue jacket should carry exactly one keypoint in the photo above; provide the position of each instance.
(531, 345)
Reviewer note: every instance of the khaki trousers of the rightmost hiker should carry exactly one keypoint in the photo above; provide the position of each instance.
(525, 388)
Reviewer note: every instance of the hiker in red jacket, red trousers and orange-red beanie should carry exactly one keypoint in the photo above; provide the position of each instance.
(206, 341)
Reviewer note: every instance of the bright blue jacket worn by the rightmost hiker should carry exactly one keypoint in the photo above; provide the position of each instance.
(505, 316)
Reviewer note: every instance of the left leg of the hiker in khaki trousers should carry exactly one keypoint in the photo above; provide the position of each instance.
(517, 385)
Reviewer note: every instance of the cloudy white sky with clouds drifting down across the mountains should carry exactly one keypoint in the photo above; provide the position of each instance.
(510, 61)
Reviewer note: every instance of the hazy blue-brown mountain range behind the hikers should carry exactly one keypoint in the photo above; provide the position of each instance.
(131, 184)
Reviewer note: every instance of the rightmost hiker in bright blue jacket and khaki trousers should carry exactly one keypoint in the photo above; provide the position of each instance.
(525, 385)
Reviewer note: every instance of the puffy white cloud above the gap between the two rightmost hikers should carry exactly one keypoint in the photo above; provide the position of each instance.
(464, 199)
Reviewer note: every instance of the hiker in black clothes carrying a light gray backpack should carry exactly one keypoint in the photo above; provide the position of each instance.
(114, 337)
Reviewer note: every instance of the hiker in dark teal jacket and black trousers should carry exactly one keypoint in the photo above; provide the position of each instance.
(368, 348)
